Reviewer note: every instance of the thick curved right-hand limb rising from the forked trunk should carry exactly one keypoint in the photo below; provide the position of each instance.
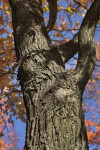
(87, 57)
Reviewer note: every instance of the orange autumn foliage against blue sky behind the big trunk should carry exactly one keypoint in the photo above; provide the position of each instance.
(69, 18)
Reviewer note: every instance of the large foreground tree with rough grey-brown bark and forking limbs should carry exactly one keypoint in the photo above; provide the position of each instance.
(52, 96)
